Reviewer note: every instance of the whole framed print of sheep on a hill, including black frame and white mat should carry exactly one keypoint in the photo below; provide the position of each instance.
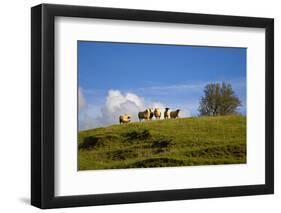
(139, 106)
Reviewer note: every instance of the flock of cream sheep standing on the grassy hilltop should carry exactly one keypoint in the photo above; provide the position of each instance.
(149, 113)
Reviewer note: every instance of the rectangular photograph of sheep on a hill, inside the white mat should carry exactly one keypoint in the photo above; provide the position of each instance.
(160, 105)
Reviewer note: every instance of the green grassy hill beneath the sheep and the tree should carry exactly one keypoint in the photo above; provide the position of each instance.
(164, 143)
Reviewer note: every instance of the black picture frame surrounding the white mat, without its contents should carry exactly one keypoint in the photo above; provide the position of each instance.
(43, 102)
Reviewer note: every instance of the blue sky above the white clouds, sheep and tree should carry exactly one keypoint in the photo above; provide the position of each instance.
(172, 75)
